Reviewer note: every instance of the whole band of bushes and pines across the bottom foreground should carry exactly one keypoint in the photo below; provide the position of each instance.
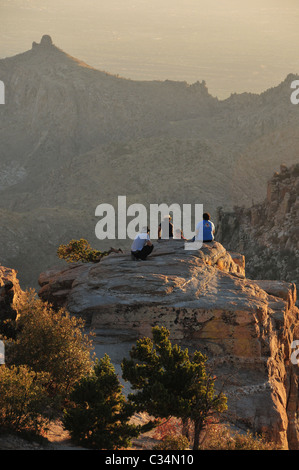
(51, 373)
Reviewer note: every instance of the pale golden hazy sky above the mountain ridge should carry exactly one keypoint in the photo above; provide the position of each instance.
(234, 45)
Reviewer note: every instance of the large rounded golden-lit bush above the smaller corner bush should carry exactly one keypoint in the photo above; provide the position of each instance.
(51, 341)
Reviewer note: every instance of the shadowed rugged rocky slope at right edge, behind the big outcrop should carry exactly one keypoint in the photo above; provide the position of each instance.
(268, 233)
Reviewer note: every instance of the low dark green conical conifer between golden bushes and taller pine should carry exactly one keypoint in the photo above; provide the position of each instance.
(98, 415)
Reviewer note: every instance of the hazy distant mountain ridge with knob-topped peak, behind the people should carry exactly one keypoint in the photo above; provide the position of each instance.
(73, 137)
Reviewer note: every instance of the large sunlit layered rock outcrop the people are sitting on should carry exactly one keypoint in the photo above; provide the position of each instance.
(245, 327)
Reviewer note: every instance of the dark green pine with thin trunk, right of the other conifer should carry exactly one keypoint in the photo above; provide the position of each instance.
(168, 382)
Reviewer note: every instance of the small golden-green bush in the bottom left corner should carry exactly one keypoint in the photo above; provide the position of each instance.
(23, 399)
